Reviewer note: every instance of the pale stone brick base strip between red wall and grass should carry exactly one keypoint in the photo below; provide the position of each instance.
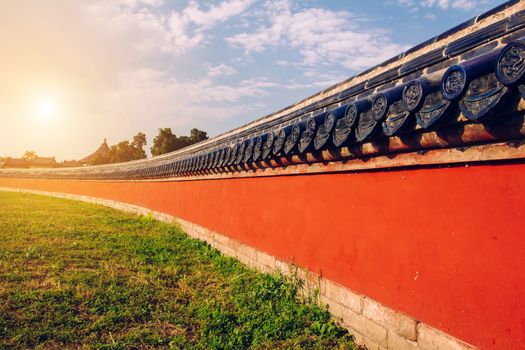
(372, 323)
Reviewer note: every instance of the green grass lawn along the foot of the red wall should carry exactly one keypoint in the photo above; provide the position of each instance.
(76, 275)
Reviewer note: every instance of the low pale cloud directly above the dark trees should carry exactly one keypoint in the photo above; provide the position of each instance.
(181, 104)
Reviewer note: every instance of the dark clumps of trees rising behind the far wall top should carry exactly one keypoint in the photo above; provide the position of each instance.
(166, 141)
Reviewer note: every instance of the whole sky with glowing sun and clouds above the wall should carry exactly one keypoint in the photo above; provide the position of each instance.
(75, 72)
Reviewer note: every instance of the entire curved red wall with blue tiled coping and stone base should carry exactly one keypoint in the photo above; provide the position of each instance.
(314, 184)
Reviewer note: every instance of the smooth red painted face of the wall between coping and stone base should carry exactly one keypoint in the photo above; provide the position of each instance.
(445, 246)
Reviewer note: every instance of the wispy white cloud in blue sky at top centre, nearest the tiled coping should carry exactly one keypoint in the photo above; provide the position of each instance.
(322, 37)
